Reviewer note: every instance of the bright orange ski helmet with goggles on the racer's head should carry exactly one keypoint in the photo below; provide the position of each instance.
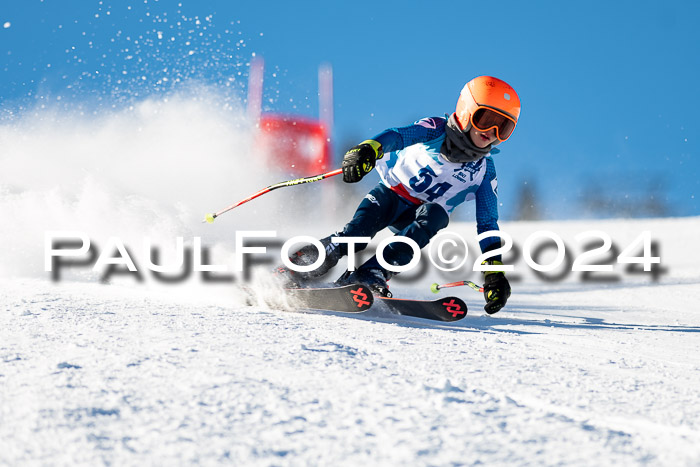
(487, 102)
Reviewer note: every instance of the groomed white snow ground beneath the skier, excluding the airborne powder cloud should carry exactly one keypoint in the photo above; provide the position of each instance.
(569, 373)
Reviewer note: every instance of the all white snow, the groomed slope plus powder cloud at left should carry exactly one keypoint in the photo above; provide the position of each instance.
(569, 373)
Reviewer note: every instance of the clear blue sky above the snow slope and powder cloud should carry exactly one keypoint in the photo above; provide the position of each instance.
(609, 89)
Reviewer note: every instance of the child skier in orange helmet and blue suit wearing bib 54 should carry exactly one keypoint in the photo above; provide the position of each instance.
(427, 169)
